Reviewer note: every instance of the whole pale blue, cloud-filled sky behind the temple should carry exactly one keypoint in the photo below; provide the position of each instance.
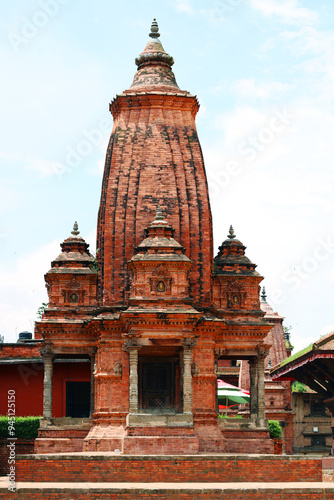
(263, 71)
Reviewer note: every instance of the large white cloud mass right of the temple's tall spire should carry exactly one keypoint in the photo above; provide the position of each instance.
(284, 196)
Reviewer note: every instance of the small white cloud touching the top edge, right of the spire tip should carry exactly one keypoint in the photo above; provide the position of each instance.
(288, 11)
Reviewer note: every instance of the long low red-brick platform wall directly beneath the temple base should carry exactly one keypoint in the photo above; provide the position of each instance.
(68, 468)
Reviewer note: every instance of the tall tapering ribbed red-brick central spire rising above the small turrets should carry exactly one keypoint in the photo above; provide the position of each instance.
(154, 157)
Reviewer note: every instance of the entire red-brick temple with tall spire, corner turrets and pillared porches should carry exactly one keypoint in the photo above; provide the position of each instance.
(165, 312)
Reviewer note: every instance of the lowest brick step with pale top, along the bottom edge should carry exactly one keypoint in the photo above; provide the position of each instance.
(164, 491)
